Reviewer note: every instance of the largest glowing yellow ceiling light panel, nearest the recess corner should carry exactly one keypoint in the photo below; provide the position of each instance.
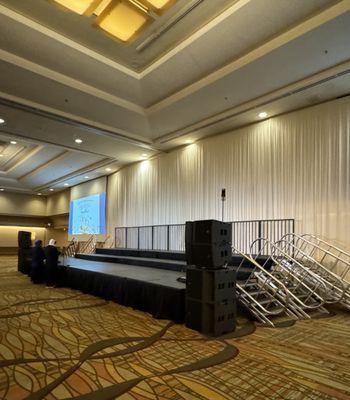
(122, 20)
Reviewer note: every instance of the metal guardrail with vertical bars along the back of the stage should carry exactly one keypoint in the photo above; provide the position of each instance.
(172, 237)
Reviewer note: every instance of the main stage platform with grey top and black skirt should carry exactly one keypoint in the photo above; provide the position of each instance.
(153, 290)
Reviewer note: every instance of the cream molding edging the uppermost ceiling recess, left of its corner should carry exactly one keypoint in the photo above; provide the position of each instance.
(66, 41)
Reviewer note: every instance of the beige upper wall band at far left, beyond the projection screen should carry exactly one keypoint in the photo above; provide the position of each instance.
(22, 204)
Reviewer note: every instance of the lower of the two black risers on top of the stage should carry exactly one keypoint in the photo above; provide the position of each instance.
(171, 265)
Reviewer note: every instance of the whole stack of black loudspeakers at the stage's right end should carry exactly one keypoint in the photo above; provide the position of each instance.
(210, 285)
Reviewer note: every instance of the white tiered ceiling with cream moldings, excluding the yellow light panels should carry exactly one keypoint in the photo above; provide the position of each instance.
(211, 72)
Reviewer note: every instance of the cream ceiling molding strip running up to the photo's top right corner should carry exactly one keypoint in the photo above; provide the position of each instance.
(297, 31)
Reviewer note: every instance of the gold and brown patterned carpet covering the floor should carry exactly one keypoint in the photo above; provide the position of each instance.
(62, 344)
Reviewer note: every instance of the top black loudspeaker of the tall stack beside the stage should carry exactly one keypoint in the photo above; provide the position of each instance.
(208, 243)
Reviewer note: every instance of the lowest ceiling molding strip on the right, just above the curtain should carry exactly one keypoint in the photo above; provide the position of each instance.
(294, 88)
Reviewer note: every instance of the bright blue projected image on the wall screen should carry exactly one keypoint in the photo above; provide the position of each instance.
(87, 215)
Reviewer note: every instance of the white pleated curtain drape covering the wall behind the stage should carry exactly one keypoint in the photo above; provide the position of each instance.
(292, 166)
